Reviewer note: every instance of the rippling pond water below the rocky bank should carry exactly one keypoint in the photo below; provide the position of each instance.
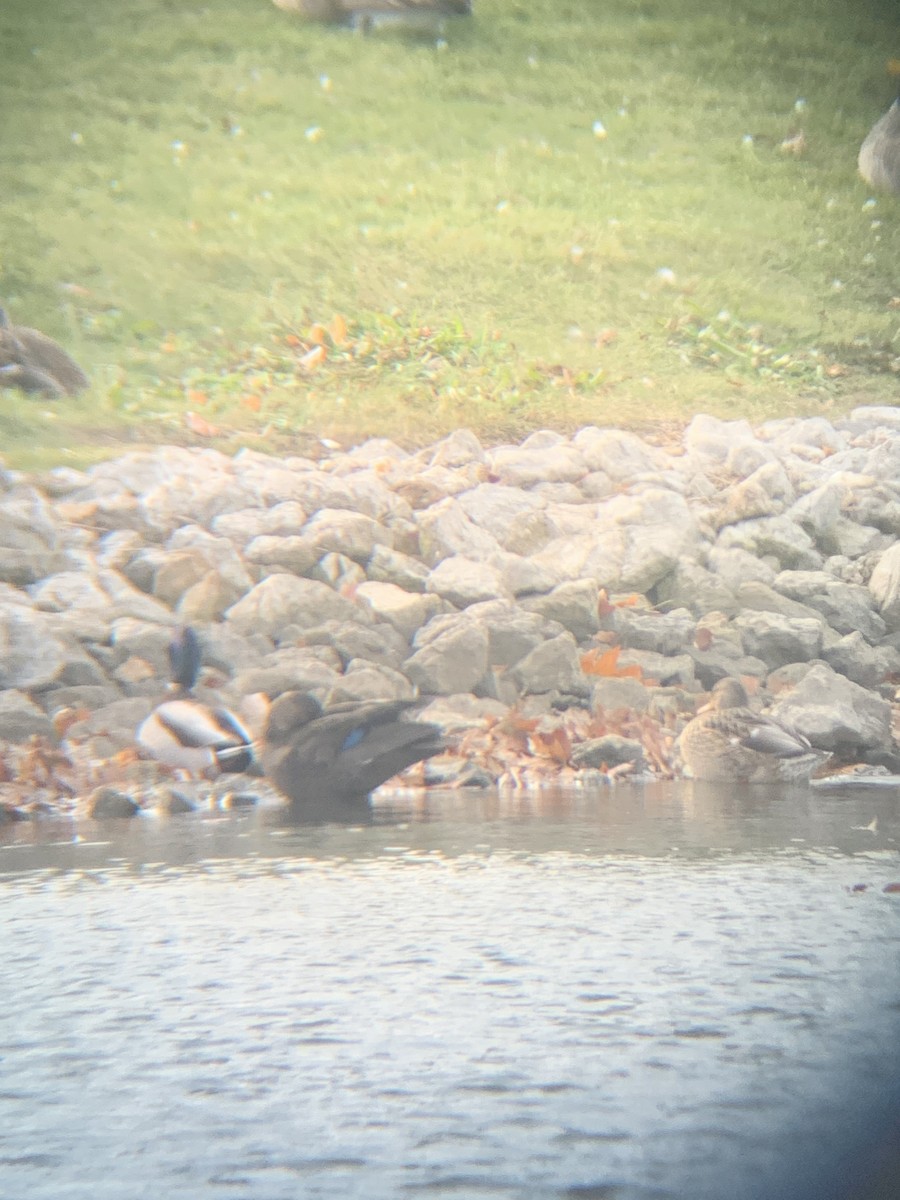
(663, 992)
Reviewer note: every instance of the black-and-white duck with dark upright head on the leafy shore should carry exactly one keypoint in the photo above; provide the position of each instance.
(184, 733)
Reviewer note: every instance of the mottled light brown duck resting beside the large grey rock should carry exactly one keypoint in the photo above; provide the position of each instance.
(729, 743)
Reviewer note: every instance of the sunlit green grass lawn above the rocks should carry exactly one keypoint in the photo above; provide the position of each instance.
(290, 230)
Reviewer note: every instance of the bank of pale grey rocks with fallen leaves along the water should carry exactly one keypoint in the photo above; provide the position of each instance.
(561, 607)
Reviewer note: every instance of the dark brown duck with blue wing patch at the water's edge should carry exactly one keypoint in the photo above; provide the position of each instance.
(326, 763)
